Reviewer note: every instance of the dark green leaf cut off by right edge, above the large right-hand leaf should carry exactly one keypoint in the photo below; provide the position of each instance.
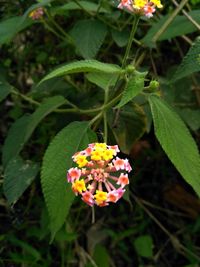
(190, 63)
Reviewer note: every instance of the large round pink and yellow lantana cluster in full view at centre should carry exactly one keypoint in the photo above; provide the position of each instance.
(100, 176)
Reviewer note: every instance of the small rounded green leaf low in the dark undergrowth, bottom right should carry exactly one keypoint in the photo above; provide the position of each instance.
(144, 246)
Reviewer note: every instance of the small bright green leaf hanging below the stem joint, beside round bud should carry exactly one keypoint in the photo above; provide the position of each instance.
(133, 88)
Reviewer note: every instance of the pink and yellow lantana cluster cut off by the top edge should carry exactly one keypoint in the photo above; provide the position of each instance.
(142, 7)
